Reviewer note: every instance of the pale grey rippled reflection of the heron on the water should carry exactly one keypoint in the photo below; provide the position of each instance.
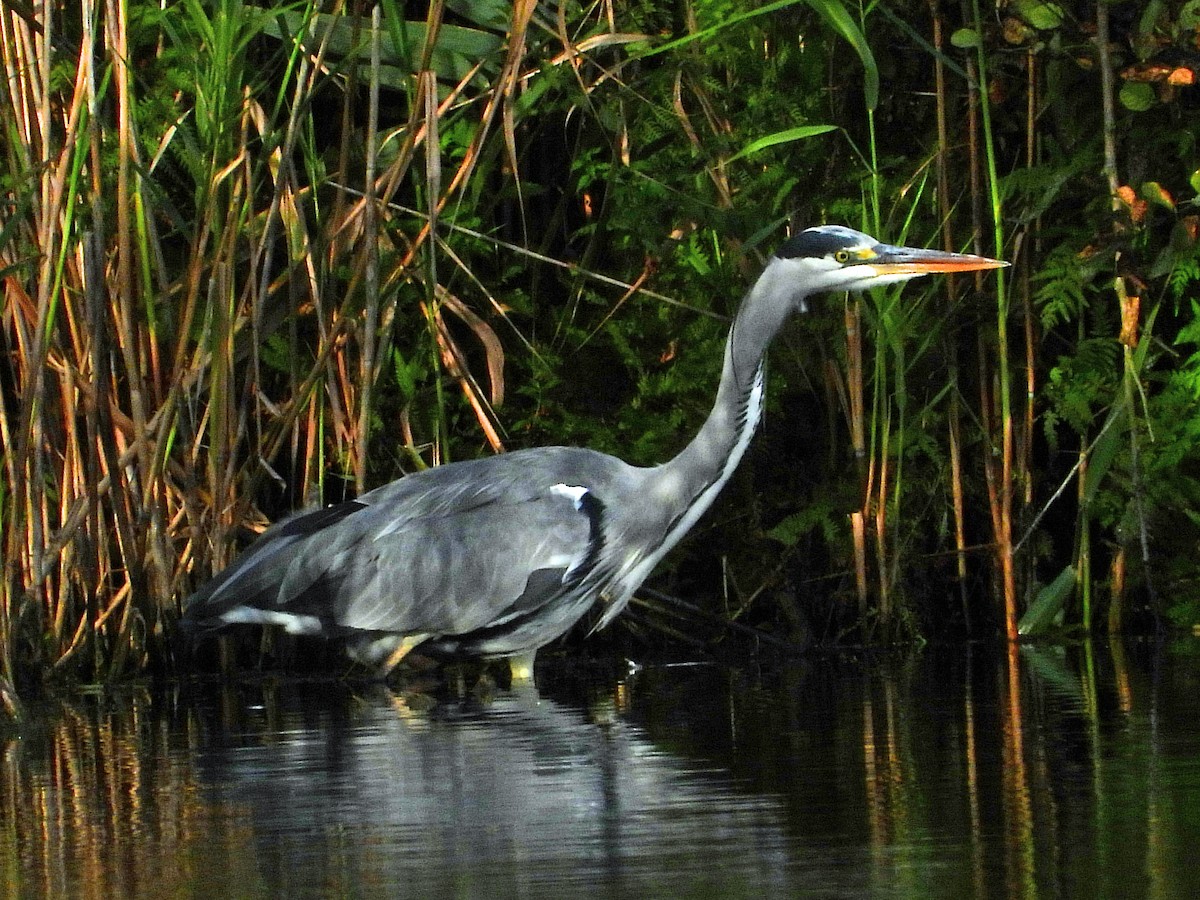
(512, 799)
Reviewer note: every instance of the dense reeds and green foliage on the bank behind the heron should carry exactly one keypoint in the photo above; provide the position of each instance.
(261, 257)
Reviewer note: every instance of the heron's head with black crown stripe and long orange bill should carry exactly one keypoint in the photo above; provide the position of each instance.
(837, 259)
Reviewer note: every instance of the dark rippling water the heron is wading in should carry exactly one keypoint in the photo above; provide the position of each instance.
(1060, 773)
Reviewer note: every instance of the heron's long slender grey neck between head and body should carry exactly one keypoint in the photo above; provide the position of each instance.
(693, 479)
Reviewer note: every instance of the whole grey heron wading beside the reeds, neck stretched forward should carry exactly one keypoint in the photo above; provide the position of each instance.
(500, 556)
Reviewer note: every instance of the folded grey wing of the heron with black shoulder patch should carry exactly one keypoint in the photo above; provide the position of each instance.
(407, 567)
